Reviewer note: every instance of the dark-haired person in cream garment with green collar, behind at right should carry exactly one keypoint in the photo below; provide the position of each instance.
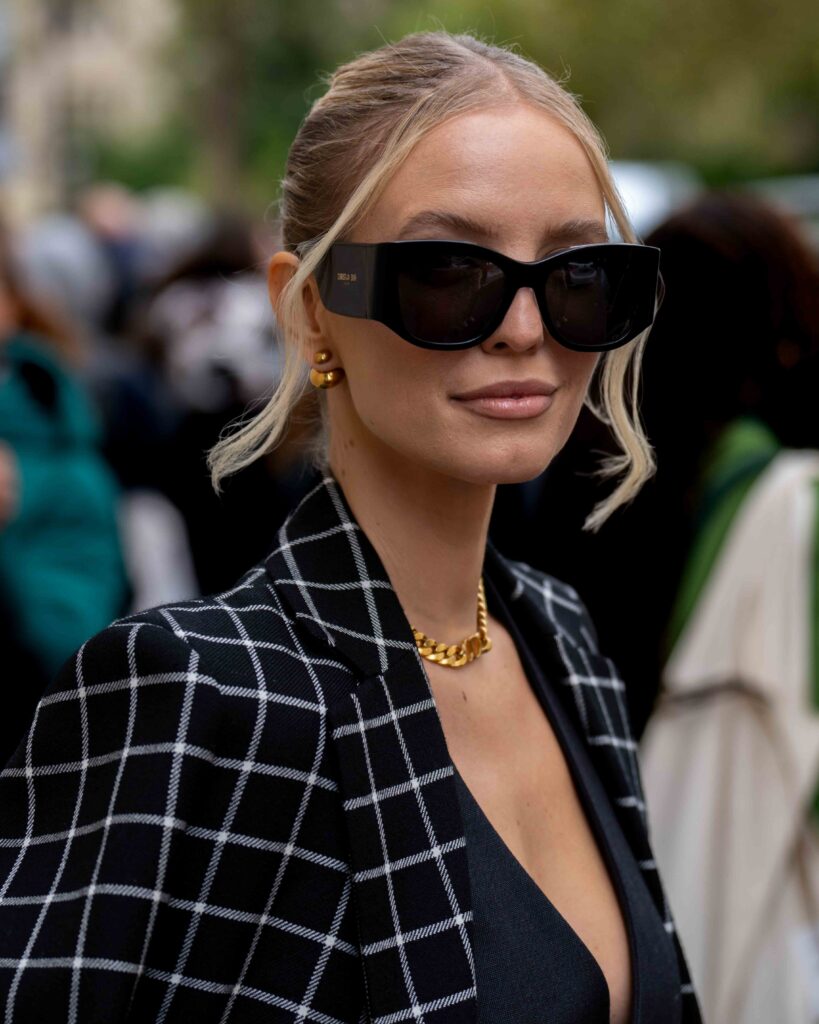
(730, 755)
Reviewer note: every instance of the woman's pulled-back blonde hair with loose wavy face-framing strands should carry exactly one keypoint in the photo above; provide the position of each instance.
(376, 110)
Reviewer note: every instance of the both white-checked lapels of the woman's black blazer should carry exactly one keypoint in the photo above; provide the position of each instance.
(407, 844)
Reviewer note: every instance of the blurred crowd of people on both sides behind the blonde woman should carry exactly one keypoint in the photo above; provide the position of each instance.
(136, 329)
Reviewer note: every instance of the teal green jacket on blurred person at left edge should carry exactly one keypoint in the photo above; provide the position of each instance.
(62, 571)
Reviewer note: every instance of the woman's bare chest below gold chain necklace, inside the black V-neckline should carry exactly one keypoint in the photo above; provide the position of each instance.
(505, 748)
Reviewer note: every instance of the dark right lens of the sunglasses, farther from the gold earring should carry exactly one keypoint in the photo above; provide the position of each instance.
(597, 301)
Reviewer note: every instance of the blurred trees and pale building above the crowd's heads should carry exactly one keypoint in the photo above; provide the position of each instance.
(206, 97)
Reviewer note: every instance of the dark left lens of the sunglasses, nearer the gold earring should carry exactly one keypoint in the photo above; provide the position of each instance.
(448, 297)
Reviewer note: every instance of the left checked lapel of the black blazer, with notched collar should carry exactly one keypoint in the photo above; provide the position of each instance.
(408, 850)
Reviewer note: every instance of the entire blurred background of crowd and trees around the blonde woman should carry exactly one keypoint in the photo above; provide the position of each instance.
(142, 145)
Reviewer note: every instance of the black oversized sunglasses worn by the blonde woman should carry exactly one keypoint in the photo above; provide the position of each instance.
(448, 294)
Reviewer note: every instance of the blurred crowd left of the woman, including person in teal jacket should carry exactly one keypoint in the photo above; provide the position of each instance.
(134, 331)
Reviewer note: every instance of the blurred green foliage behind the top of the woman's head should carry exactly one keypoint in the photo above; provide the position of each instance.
(730, 87)
